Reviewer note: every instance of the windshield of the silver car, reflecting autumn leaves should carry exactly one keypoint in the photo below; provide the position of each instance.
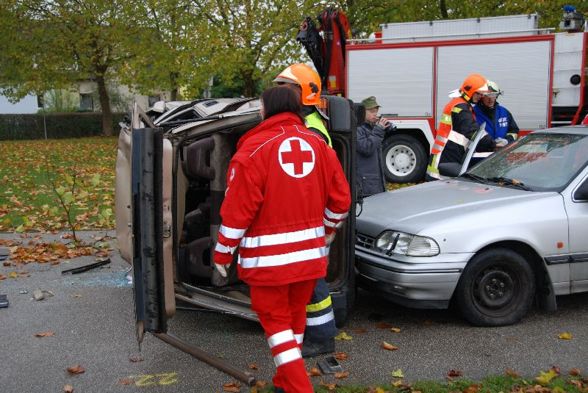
(538, 162)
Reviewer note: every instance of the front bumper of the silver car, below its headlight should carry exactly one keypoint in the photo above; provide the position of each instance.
(417, 285)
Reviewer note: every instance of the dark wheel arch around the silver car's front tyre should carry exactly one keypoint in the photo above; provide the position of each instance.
(544, 293)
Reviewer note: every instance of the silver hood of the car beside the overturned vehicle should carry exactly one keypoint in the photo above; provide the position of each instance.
(444, 203)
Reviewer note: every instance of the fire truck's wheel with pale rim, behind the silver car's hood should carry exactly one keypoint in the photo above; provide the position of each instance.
(405, 159)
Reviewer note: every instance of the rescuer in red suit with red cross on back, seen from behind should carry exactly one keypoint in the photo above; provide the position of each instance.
(286, 192)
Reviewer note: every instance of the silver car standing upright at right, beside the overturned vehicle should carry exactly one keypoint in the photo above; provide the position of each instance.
(512, 229)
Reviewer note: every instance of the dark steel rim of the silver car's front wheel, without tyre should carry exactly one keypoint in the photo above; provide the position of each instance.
(494, 288)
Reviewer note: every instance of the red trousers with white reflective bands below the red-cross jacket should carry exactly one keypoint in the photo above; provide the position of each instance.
(282, 313)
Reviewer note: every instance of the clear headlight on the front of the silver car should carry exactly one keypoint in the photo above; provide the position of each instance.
(393, 242)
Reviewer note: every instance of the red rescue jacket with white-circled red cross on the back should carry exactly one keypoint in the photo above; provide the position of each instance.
(285, 190)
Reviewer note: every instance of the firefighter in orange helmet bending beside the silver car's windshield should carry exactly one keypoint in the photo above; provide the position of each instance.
(458, 125)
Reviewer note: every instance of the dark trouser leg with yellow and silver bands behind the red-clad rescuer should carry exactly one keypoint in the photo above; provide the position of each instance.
(319, 336)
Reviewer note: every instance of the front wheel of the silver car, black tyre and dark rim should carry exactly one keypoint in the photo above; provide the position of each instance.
(496, 288)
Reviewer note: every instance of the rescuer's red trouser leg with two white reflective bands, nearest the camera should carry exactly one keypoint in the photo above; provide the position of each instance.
(273, 309)
